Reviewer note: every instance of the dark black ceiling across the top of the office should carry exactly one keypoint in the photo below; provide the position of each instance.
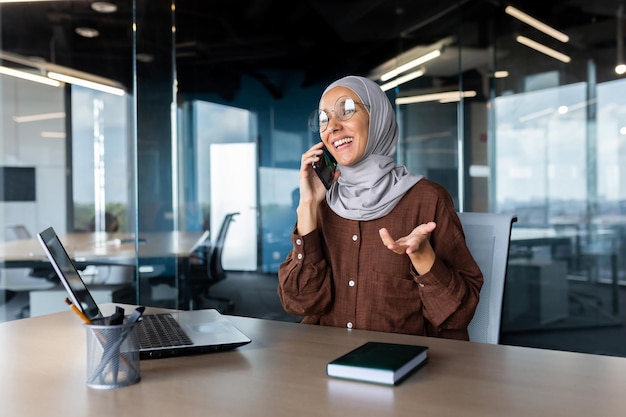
(218, 42)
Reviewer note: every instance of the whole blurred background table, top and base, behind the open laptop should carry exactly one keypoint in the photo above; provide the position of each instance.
(113, 258)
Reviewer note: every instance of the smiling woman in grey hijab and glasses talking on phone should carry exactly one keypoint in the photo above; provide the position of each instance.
(382, 249)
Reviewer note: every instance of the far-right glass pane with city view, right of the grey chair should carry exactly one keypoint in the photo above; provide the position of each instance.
(558, 155)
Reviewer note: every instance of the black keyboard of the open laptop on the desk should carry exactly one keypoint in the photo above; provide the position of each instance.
(161, 330)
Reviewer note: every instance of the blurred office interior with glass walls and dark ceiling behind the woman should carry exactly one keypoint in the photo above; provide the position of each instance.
(179, 112)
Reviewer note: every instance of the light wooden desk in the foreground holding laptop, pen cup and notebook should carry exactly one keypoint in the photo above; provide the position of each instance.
(282, 373)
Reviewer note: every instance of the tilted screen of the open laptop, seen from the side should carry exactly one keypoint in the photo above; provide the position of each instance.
(64, 266)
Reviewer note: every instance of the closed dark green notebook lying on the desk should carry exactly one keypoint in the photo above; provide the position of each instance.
(377, 362)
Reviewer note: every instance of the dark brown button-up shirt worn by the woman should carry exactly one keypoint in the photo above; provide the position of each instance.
(342, 274)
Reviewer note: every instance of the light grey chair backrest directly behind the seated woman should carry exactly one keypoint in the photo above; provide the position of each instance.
(488, 237)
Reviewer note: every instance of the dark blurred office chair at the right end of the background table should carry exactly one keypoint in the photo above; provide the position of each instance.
(206, 270)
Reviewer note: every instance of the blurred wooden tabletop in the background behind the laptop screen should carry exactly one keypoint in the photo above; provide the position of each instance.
(103, 246)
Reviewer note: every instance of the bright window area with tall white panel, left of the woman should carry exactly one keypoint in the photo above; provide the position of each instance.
(219, 176)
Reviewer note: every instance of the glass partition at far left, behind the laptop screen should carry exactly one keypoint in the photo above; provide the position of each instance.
(67, 141)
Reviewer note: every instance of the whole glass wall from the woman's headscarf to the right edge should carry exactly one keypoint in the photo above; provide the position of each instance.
(536, 132)
